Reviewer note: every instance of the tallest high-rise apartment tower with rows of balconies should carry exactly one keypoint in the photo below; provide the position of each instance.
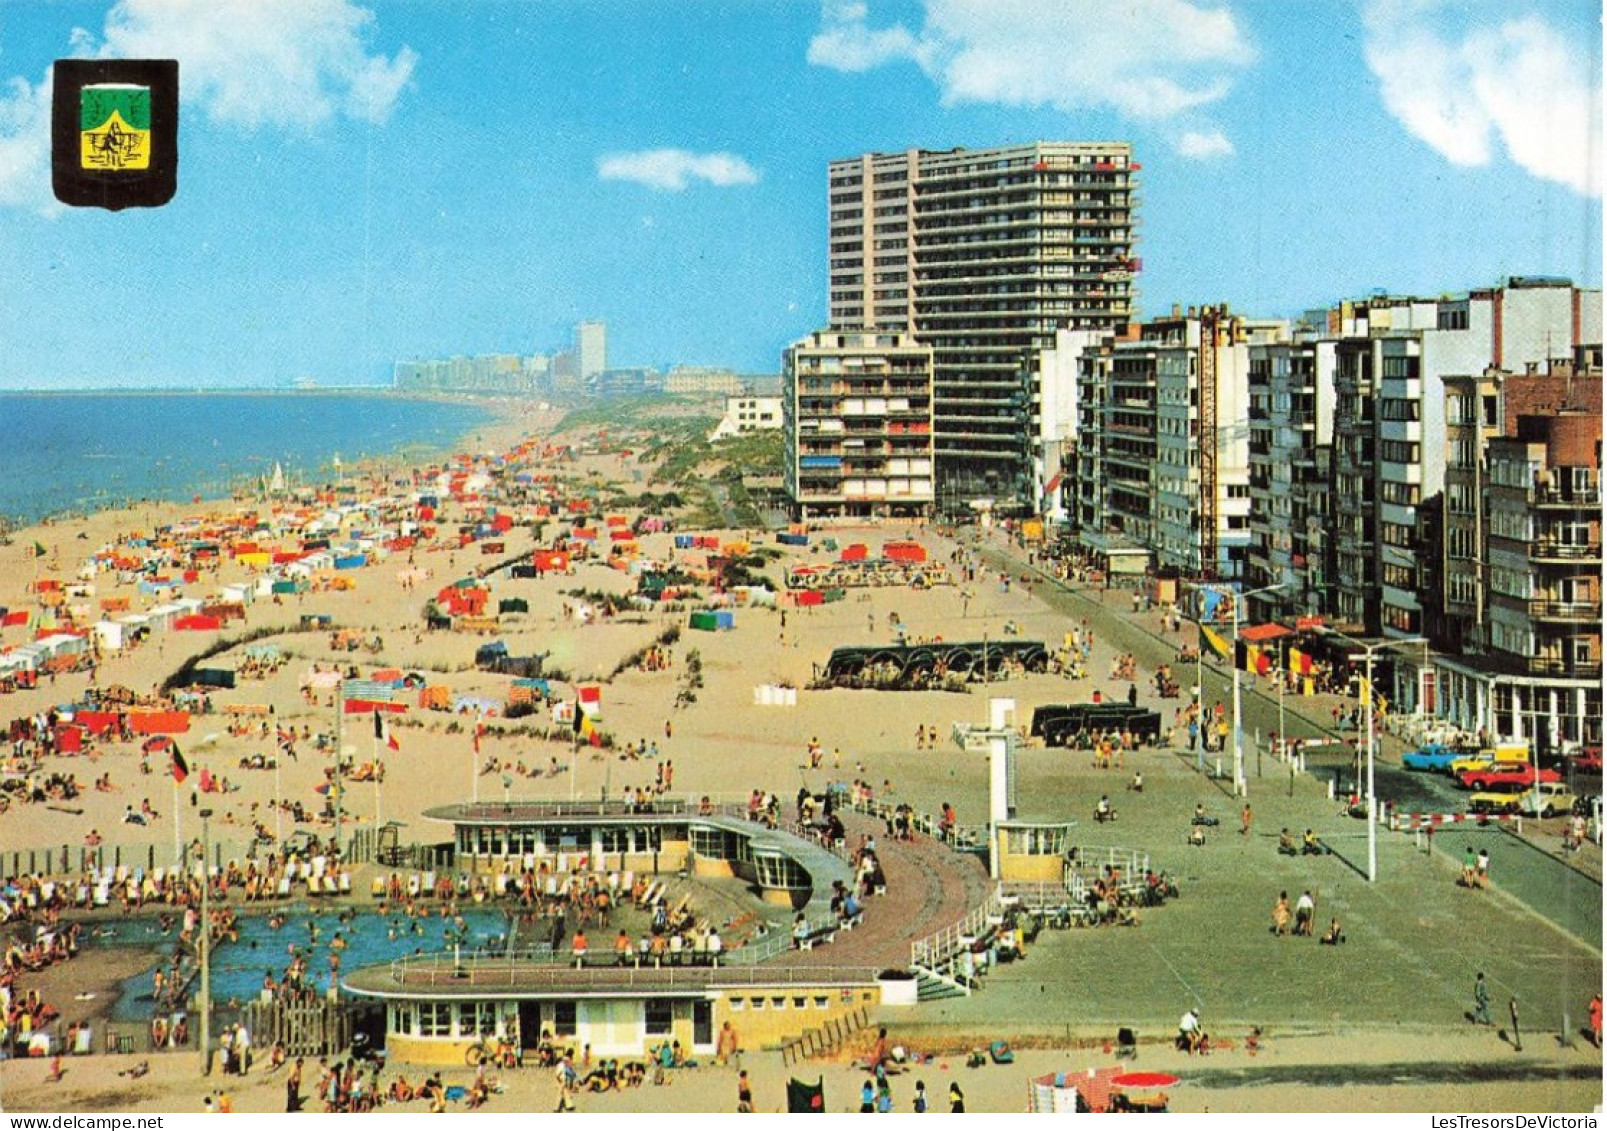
(986, 255)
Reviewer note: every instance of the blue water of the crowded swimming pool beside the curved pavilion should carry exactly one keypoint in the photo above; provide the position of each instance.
(240, 966)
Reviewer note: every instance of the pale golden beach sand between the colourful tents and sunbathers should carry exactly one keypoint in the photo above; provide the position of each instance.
(721, 745)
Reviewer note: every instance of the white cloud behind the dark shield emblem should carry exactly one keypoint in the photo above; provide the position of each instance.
(240, 63)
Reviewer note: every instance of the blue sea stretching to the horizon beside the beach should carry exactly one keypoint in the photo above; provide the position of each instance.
(73, 454)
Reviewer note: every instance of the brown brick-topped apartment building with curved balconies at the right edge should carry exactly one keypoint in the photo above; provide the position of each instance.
(1523, 553)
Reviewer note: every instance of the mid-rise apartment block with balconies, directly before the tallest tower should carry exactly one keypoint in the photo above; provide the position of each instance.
(857, 419)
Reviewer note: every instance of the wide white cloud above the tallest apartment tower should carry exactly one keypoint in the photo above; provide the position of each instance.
(1145, 59)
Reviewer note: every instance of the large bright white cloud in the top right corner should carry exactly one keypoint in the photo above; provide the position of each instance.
(1521, 86)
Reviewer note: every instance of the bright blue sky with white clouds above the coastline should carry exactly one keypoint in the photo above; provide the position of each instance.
(362, 184)
